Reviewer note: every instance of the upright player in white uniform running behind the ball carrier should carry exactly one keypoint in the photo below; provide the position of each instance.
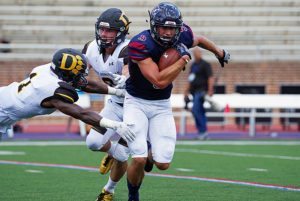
(107, 55)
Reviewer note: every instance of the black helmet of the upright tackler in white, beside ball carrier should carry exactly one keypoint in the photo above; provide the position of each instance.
(112, 18)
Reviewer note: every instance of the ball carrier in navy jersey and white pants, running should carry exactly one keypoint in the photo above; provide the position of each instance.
(147, 101)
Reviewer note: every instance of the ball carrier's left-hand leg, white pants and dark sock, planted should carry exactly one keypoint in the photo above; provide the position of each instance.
(138, 148)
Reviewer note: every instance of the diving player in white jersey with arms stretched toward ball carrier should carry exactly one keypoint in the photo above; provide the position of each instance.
(53, 87)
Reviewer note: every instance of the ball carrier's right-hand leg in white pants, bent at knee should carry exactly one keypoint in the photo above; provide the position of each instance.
(162, 134)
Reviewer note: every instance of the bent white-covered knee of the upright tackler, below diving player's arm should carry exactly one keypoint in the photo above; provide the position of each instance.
(95, 141)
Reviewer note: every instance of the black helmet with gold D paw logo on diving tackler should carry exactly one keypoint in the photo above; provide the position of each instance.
(70, 66)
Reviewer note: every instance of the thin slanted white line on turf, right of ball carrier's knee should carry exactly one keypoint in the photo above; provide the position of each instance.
(224, 153)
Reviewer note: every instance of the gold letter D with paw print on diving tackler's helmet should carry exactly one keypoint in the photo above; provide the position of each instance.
(71, 63)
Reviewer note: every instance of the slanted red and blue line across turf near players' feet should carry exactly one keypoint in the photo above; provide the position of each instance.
(215, 180)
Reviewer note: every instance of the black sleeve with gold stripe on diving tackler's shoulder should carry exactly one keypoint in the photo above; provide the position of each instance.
(66, 93)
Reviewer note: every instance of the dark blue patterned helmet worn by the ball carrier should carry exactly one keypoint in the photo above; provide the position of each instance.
(165, 15)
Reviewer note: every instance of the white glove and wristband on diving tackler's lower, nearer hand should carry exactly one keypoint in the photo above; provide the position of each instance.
(120, 127)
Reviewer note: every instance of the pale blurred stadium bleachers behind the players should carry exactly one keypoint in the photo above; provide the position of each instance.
(259, 29)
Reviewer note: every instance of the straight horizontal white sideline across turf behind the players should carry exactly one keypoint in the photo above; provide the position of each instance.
(75, 143)
